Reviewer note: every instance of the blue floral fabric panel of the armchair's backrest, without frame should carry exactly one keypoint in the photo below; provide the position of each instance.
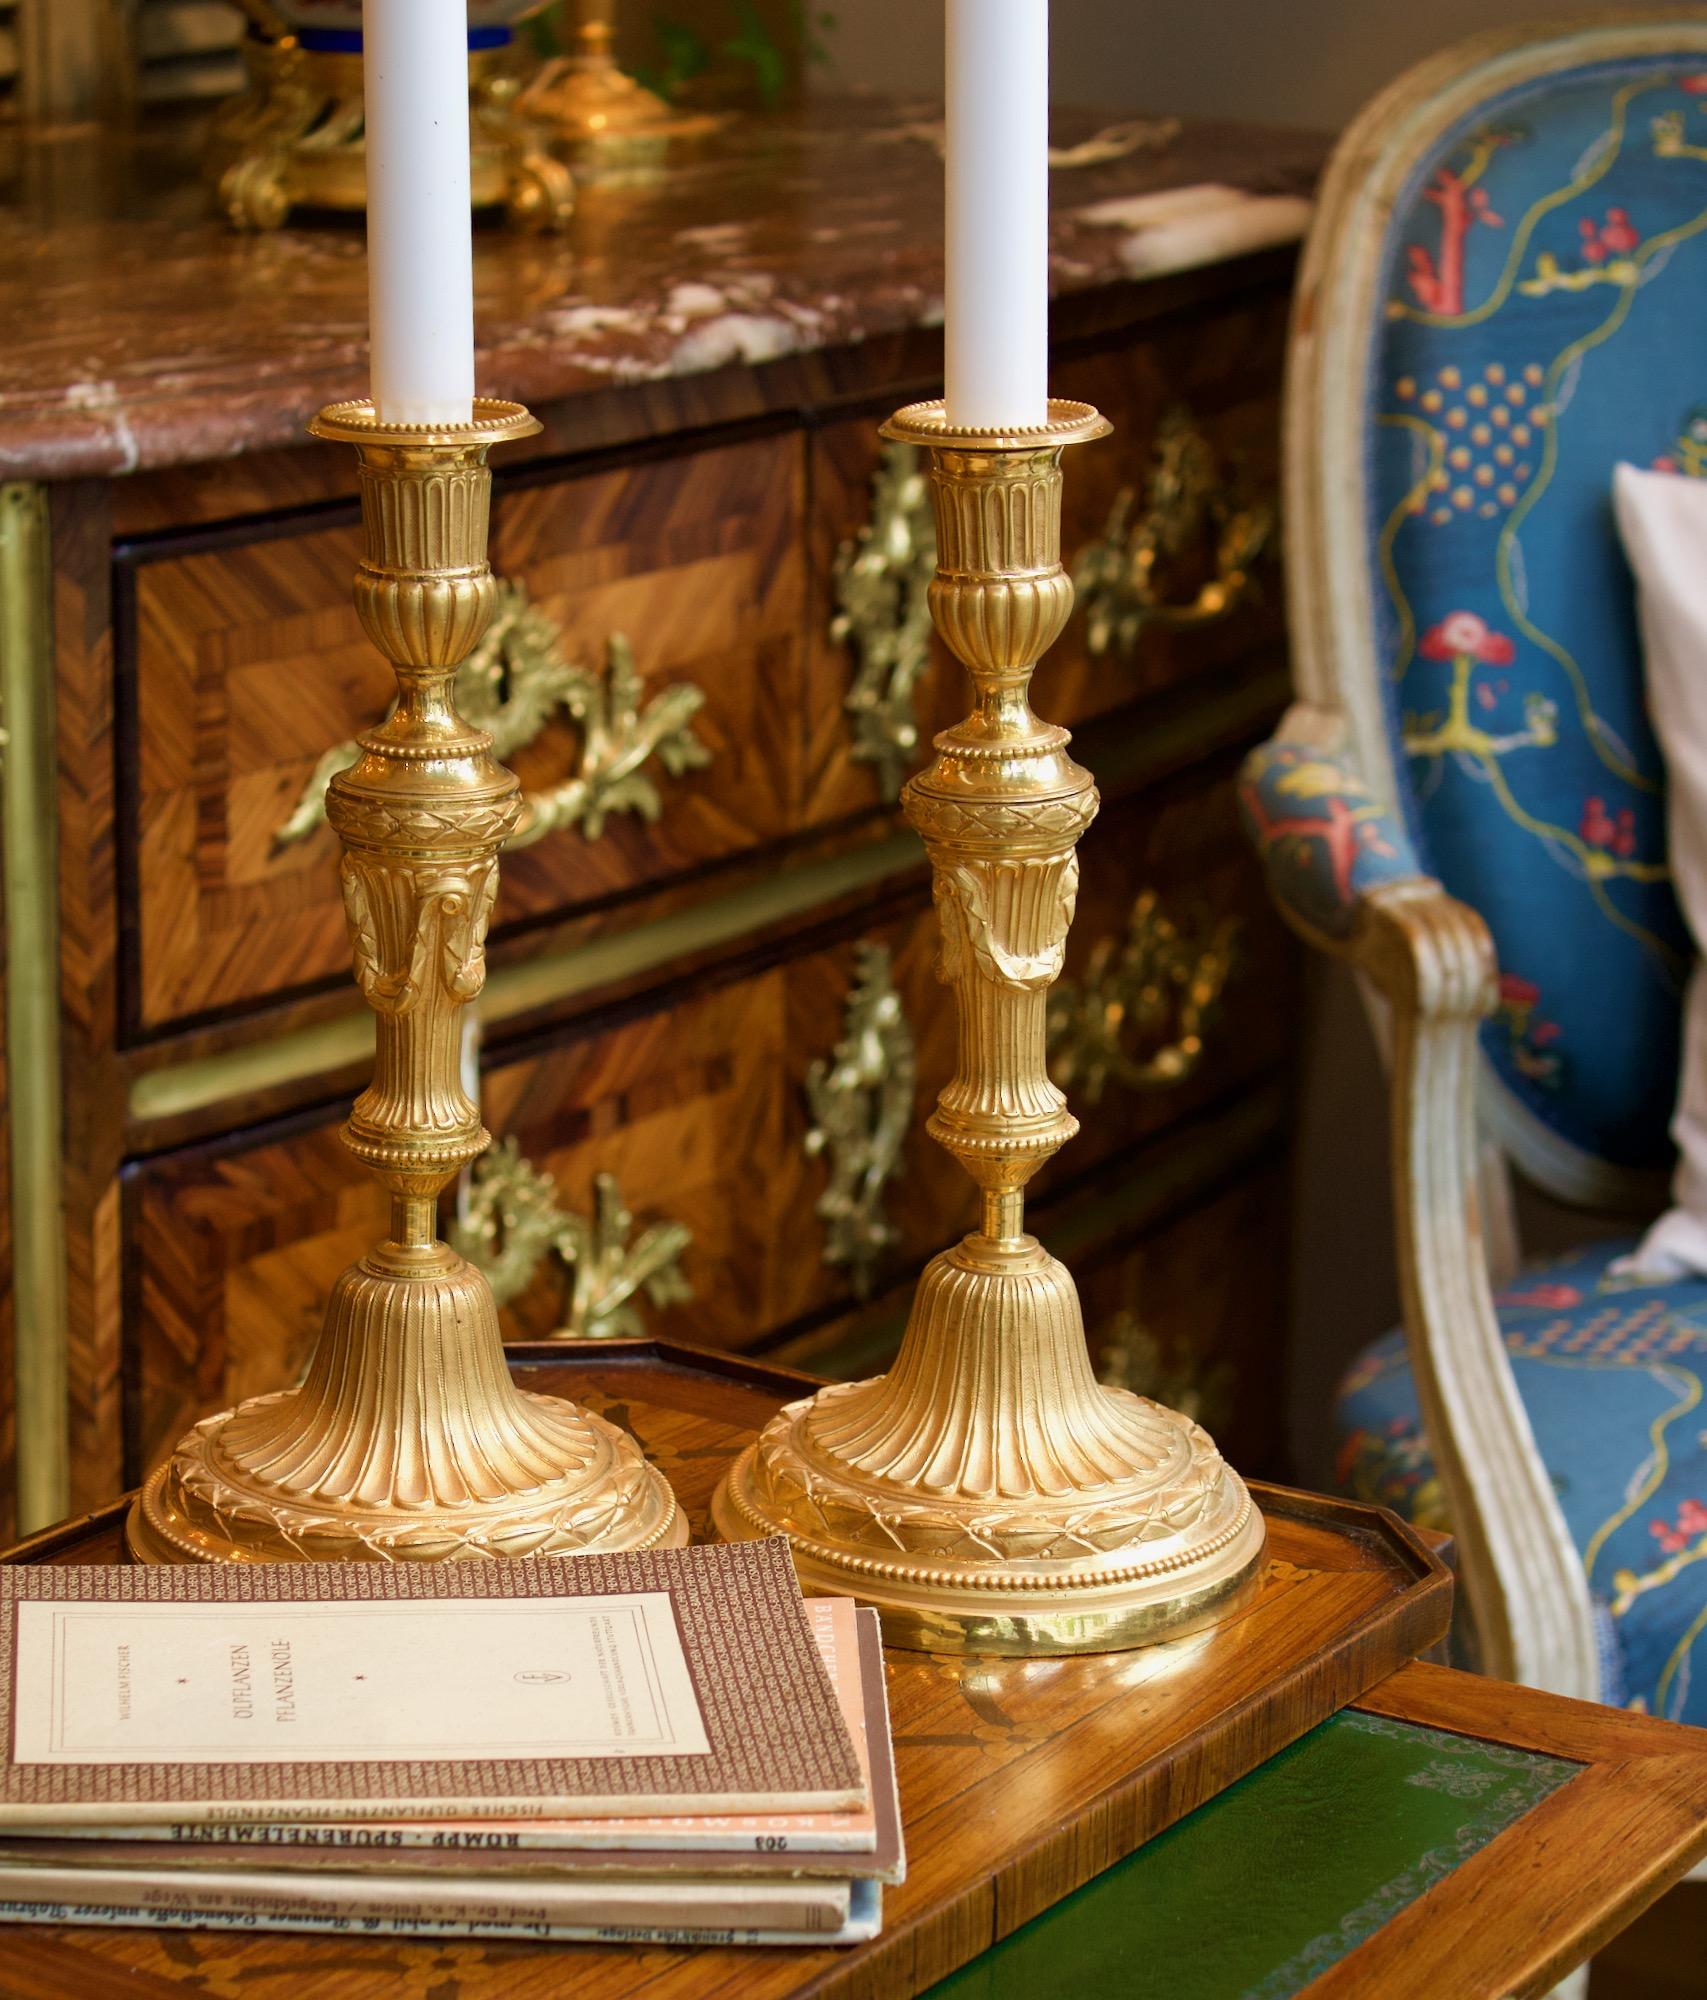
(1542, 317)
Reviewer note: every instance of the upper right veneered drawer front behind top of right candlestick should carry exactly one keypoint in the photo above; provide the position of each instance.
(1192, 467)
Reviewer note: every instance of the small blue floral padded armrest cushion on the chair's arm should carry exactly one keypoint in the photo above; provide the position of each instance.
(1320, 833)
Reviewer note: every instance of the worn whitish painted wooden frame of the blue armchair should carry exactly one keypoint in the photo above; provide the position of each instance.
(1426, 955)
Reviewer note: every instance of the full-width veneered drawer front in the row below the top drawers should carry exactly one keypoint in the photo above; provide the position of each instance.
(701, 1107)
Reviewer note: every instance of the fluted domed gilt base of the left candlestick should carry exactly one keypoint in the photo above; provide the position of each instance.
(409, 1443)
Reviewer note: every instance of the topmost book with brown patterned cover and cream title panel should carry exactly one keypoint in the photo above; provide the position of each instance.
(627, 1685)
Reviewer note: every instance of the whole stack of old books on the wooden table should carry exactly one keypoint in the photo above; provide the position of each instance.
(627, 1749)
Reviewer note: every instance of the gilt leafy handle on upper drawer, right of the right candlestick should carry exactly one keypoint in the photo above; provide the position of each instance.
(1188, 509)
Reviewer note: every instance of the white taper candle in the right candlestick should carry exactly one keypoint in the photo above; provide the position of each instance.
(996, 311)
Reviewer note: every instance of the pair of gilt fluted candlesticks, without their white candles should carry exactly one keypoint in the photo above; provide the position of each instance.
(986, 1495)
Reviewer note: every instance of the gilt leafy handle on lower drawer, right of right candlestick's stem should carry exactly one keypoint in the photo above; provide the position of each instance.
(1144, 1005)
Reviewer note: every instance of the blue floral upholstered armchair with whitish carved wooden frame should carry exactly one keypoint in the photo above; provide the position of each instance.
(1506, 295)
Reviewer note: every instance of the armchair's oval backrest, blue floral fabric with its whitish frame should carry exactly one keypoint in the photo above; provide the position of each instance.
(1506, 295)
